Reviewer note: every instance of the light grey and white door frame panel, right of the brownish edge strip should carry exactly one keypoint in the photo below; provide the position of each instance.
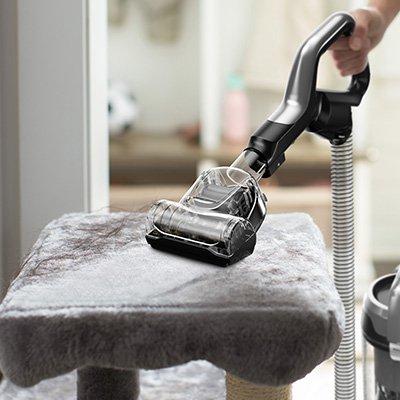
(62, 109)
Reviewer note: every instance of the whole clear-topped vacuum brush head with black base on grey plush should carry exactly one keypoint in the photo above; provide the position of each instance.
(215, 221)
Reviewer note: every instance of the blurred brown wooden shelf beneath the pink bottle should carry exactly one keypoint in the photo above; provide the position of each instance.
(145, 158)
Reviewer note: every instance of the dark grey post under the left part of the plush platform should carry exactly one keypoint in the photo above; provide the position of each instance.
(106, 384)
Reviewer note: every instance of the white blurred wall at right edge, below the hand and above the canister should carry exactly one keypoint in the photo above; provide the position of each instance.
(384, 135)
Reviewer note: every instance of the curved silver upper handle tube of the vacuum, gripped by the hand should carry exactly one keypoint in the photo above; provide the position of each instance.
(300, 92)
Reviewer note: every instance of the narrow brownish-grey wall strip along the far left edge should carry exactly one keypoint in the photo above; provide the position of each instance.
(9, 166)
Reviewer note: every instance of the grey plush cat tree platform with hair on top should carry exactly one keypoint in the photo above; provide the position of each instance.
(93, 293)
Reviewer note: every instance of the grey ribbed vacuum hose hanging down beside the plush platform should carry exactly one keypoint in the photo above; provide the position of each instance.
(343, 264)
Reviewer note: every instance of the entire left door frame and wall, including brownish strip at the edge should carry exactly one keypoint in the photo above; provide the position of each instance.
(53, 119)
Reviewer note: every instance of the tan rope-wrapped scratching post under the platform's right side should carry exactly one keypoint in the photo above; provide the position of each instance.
(239, 389)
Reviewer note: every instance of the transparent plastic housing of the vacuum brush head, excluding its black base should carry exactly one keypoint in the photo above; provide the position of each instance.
(214, 212)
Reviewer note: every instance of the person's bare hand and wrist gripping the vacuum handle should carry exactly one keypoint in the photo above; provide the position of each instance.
(350, 53)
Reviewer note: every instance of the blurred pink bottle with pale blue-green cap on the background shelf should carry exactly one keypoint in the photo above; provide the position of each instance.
(236, 118)
